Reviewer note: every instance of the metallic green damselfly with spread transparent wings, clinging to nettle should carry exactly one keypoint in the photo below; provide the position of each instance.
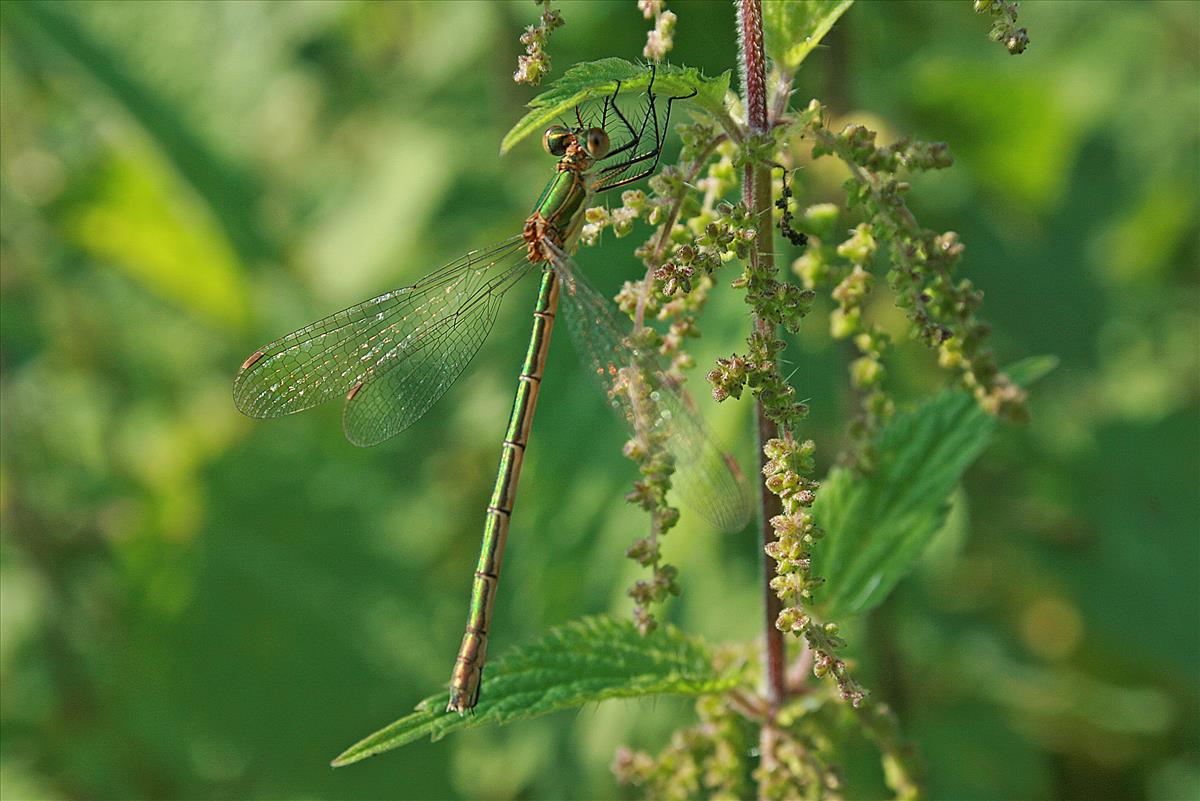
(395, 356)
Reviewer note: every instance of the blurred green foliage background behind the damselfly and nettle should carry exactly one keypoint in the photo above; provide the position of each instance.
(197, 606)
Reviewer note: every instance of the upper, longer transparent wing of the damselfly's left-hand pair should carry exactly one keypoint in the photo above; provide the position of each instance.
(333, 357)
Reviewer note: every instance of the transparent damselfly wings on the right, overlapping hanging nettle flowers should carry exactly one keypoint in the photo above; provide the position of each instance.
(709, 480)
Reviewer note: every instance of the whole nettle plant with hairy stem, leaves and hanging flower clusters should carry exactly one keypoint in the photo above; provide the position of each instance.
(770, 712)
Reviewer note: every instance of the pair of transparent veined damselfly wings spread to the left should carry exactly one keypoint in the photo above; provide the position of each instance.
(431, 330)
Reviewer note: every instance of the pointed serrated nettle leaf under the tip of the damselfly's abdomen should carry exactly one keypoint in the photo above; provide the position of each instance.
(583, 663)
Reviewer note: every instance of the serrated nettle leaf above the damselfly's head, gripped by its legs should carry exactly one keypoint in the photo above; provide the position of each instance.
(598, 80)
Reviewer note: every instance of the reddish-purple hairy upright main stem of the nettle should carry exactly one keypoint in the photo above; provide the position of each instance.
(757, 197)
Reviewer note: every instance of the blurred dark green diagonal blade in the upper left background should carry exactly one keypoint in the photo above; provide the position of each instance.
(229, 191)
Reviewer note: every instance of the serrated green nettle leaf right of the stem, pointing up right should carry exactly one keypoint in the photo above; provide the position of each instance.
(880, 525)
